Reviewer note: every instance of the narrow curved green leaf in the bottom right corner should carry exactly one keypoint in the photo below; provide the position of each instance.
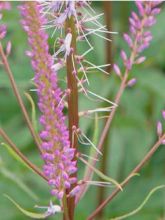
(140, 206)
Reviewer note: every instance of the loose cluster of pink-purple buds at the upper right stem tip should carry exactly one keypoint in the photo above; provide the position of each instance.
(139, 37)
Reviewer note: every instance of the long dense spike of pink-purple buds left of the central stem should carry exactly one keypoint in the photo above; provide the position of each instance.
(57, 154)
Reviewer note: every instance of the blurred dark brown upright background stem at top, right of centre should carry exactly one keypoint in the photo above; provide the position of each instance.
(107, 5)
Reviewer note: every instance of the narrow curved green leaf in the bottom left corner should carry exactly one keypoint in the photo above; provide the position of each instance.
(28, 213)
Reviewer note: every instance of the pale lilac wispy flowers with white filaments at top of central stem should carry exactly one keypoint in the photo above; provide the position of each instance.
(86, 23)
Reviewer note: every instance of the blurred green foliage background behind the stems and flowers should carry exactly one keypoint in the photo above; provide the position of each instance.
(132, 133)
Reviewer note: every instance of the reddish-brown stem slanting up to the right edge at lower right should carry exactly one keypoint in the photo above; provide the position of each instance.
(124, 183)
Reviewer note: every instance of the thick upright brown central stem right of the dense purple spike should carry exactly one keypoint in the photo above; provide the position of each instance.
(72, 103)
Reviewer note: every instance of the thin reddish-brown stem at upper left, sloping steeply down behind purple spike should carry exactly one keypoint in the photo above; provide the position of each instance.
(18, 97)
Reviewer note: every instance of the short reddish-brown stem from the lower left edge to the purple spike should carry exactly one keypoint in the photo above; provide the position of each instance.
(18, 152)
